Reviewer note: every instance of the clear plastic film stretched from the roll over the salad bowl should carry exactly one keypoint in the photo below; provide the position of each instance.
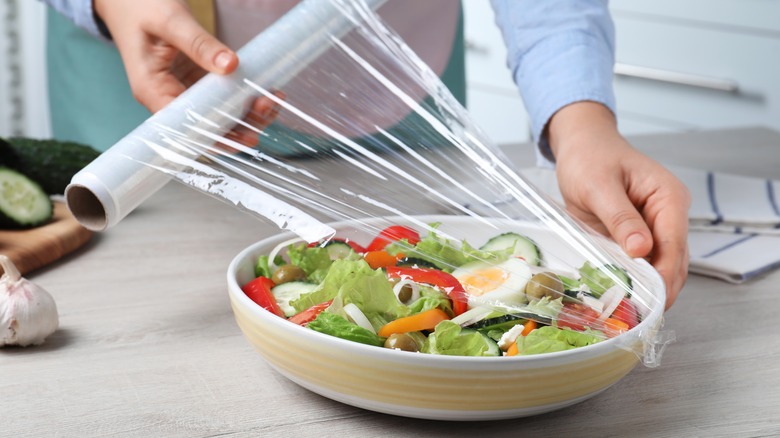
(368, 158)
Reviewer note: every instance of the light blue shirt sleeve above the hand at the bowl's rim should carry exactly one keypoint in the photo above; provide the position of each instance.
(559, 52)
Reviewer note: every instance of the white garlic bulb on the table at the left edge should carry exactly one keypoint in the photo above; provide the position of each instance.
(28, 313)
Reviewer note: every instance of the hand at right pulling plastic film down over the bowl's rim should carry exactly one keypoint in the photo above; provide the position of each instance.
(621, 192)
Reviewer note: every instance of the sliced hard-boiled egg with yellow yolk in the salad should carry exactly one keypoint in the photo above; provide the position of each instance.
(494, 283)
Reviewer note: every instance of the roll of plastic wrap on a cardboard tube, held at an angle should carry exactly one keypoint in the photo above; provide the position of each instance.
(113, 185)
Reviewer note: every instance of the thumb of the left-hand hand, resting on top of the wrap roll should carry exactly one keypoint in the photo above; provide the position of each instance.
(184, 33)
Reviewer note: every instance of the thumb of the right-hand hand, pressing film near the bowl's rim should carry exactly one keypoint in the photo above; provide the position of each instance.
(624, 223)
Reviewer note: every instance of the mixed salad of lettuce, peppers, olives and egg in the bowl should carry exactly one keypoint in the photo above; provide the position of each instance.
(426, 294)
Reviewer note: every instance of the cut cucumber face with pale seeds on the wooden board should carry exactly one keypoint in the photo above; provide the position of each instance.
(23, 203)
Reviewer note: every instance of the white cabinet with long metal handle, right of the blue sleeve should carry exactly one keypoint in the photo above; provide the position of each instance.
(697, 64)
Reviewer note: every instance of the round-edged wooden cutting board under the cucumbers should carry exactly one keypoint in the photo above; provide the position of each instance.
(36, 247)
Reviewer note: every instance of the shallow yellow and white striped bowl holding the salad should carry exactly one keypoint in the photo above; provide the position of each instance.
(432, 386)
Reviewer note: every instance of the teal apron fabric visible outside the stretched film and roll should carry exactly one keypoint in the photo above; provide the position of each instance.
(89, 97)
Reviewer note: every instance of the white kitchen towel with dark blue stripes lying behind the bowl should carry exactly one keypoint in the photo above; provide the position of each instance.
(734, 220)
